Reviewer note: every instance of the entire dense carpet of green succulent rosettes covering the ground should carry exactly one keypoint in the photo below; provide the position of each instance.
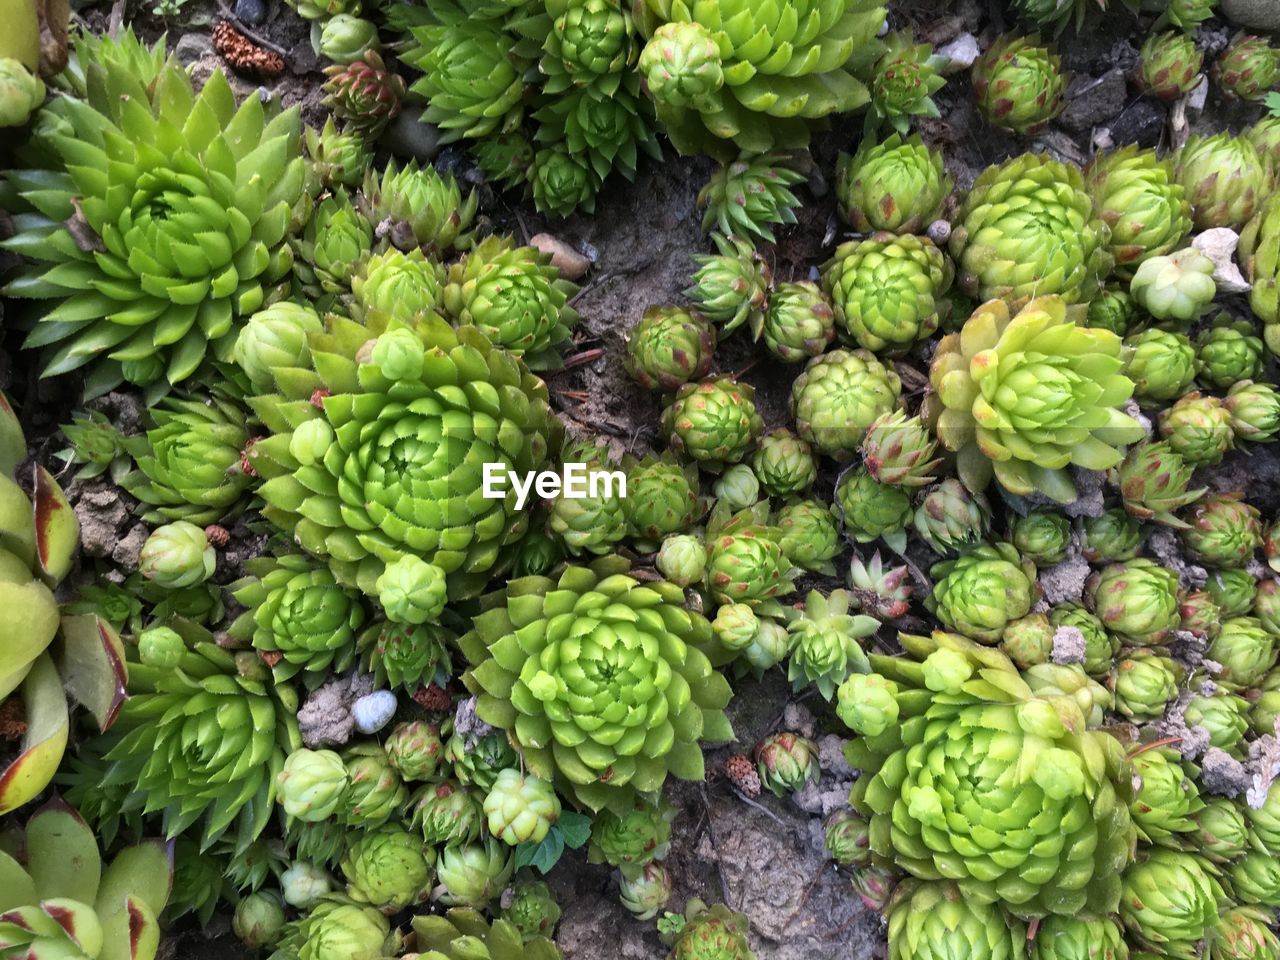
(367, 662)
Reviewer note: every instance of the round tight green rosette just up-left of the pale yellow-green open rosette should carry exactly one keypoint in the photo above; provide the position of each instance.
(888, 291)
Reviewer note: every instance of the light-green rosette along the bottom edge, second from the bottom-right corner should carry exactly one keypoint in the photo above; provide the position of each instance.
(1171, 902)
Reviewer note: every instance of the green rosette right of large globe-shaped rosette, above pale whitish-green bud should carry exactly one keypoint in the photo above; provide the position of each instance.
(1136, 195)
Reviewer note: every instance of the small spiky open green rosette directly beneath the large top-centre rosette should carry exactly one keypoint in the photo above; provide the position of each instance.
(746, 198)
